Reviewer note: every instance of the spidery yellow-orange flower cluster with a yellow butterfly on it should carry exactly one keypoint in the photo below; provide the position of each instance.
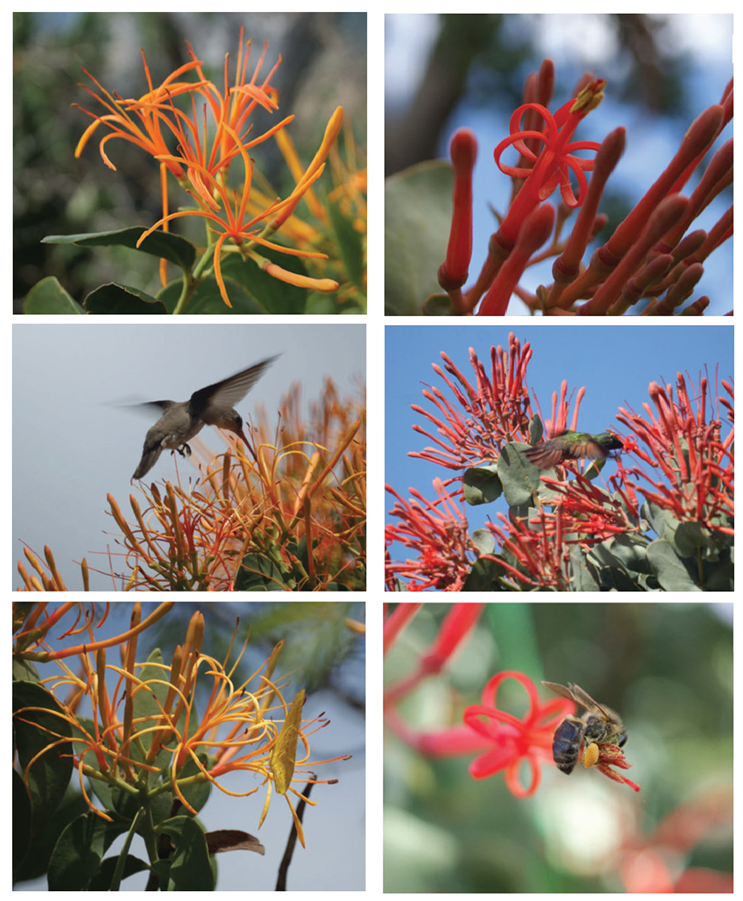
(144, 734)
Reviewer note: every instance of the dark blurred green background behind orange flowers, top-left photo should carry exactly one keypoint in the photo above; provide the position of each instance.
(324, 66)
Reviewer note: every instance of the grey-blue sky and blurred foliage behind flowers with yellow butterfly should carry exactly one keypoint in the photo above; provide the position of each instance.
(322, 655)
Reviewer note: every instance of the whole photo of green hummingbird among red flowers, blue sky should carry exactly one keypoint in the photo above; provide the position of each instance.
(571, 458)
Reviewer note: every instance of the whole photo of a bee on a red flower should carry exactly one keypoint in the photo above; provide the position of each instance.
(558, 748)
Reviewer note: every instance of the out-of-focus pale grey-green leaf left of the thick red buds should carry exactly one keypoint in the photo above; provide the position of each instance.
(418, 207)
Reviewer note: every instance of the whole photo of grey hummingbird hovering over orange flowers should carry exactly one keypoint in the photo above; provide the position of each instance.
(140, 463)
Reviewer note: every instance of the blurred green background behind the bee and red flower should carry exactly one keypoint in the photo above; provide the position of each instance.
(667, 669)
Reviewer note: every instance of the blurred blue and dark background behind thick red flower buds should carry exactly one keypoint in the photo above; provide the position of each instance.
(444, 72)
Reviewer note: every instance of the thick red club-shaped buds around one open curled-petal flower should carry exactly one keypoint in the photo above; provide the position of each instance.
(654, 256)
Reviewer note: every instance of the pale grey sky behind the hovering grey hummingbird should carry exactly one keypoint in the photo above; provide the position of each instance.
(75, 441)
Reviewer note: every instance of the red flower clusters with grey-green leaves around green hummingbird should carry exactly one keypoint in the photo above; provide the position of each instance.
(663, 521)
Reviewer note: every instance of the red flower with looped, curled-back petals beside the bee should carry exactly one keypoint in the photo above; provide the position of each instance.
(513, 740)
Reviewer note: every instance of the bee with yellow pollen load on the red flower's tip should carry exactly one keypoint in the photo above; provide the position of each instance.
(600, 725)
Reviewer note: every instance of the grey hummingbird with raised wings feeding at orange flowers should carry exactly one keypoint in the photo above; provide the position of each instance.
(182, 420)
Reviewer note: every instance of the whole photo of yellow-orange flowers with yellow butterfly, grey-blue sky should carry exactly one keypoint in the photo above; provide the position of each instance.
(189, 746)
